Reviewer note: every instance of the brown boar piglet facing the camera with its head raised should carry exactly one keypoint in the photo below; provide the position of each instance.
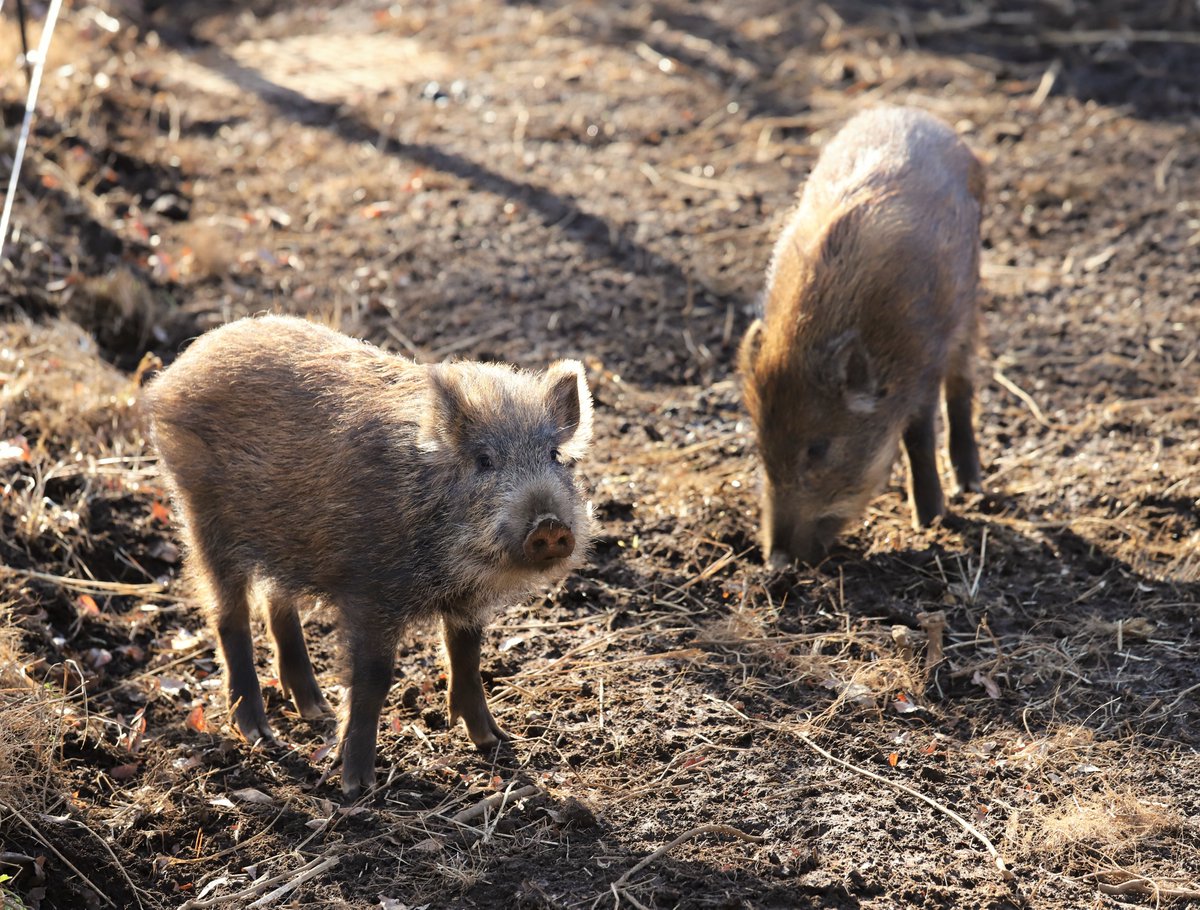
(393, 492)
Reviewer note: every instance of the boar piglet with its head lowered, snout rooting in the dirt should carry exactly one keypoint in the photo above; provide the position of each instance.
(869, 312)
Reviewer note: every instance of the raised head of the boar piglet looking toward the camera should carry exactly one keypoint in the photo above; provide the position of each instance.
(511, 440)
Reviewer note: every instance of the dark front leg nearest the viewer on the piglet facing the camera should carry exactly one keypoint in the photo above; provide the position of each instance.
(371, 652)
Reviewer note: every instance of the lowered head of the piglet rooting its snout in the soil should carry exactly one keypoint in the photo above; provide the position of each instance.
(815, 405)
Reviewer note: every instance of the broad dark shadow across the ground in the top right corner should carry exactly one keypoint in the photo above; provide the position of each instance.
(1119, 53)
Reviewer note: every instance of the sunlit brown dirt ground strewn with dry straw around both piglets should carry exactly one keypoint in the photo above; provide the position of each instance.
(604, 181)
